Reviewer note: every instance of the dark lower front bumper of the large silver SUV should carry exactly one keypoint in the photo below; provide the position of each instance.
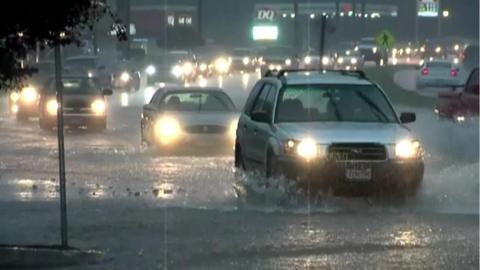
(387, 177)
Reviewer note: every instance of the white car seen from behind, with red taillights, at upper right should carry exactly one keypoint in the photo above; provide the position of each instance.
(437, 73)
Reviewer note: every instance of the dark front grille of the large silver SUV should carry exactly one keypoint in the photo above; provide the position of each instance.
(357, 151)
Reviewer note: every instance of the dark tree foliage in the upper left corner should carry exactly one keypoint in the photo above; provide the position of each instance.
(24, 24)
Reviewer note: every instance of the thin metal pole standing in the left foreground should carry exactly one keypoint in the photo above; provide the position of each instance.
(61, 147)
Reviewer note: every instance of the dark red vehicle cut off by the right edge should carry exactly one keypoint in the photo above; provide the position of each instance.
(460, 104)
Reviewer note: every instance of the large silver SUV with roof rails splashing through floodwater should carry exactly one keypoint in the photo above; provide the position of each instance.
(335, 130)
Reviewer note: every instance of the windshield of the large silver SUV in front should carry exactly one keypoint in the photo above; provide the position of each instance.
(331, 103)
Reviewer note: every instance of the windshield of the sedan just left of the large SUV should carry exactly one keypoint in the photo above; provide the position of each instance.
(198, 101)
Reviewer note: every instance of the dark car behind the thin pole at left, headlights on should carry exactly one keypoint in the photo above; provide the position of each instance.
(84, 104)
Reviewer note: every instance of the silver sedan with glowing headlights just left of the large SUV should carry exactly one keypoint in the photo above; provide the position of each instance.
(180, 119)
